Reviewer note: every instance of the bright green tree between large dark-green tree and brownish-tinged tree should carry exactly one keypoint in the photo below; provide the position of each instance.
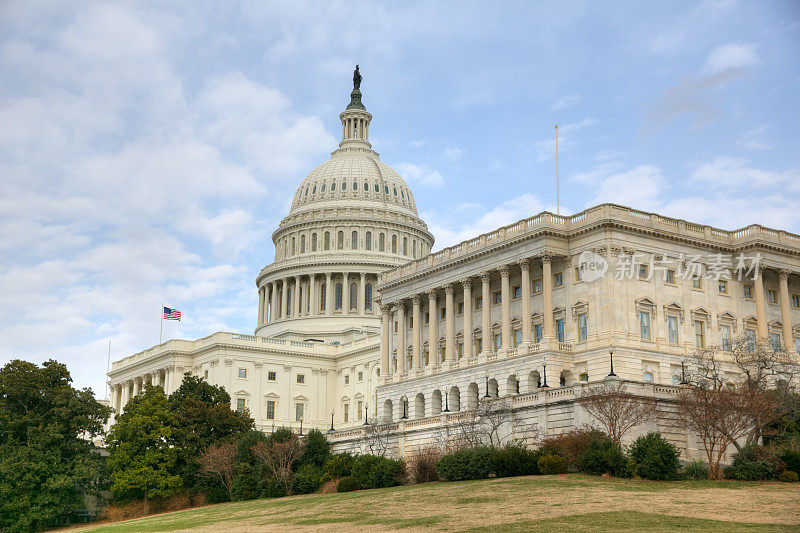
(141, 459)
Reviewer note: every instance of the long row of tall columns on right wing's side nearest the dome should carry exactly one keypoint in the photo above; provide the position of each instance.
(398, 309)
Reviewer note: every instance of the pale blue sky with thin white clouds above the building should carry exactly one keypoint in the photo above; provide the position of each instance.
(148, 151)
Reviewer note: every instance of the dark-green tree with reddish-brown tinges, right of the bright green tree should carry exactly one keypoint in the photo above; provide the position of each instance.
(202, 417)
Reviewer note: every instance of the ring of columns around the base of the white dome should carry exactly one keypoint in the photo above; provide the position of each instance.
(307, 295)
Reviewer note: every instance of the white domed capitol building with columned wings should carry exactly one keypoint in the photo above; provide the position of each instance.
(359, 320)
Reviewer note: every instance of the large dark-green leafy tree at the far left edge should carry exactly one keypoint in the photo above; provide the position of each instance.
(47, 462)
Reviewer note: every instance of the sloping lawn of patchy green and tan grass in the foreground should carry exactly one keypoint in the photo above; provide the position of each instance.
(560, 503)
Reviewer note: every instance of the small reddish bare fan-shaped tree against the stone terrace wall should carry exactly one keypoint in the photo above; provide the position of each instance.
(616, 410)
